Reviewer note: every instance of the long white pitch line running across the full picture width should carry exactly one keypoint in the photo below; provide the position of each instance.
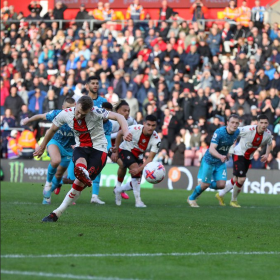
(138, 255)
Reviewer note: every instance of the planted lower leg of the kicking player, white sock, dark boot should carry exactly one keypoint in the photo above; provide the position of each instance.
(69, 199)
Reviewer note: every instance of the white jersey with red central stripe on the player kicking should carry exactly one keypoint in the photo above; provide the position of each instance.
(89, 131)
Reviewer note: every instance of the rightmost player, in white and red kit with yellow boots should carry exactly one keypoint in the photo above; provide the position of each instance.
(252, 137)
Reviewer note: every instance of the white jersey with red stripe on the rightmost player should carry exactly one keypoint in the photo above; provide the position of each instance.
(251, 140)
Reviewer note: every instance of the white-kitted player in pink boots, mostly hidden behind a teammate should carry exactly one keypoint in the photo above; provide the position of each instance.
(122, 108)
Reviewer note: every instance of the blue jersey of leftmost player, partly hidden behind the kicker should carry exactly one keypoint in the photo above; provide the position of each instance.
(64, 135)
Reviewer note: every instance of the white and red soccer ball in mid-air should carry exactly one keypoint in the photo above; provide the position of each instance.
(154, 172)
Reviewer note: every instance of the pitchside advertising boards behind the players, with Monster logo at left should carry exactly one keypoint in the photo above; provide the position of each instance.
(30, 171)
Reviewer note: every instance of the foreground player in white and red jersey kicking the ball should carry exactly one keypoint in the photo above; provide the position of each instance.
(90, 153)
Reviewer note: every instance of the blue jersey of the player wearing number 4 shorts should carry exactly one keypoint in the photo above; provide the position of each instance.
(224, 140)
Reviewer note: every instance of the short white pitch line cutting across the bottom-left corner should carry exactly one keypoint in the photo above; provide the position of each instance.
(55, 275)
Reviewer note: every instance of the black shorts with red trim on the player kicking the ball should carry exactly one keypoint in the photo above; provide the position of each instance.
(95, 159)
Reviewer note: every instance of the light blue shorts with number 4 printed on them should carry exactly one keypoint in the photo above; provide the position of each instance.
(208, 172)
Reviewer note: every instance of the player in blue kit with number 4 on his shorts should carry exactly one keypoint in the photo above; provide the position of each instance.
(213, 163)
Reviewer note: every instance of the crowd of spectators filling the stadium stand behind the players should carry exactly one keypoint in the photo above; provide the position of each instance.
(189, 77)
